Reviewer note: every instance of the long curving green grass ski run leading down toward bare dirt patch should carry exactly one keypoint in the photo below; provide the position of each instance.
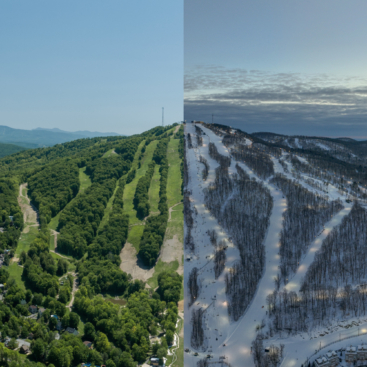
(129, 190)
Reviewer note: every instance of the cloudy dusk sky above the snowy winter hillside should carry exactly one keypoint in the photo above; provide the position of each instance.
(291, 67)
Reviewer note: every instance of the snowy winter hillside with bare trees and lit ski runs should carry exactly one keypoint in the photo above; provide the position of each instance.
(275, 243)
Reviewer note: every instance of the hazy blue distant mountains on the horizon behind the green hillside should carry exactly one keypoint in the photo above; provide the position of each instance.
(41, 137)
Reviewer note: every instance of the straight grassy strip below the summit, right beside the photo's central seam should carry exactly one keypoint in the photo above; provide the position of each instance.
(174, 180)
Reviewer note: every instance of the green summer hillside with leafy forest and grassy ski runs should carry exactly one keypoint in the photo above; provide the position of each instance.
(92, 232)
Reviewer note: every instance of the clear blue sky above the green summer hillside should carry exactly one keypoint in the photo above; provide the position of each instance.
(90, 65)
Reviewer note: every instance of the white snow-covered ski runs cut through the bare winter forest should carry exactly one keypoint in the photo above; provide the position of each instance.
(222, 336)
